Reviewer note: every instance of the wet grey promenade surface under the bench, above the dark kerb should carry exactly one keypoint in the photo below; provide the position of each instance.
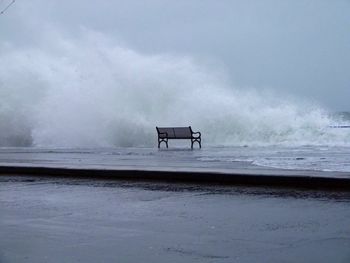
(233, 160)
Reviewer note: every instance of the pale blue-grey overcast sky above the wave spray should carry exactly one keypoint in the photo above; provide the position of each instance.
(295, 47)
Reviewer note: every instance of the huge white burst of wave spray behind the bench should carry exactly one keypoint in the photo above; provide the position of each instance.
(92, 92)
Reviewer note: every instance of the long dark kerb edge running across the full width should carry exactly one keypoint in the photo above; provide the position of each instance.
(274, 179)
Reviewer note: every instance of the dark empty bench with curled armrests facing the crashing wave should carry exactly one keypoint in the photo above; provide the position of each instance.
(166, 133)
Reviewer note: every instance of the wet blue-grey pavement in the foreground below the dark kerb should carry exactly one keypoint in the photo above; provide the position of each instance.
(45, 219)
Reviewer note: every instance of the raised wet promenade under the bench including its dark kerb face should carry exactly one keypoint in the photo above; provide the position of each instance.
(213, 165)
